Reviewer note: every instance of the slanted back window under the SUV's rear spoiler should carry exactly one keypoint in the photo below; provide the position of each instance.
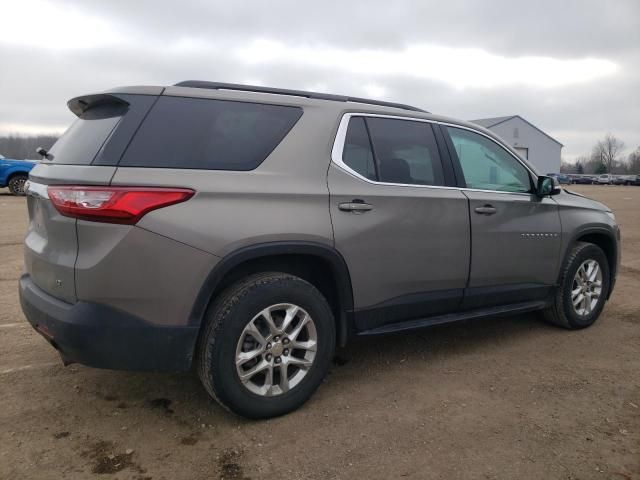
(83, 139)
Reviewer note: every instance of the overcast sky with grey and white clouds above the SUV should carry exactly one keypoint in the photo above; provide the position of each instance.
(570, 67)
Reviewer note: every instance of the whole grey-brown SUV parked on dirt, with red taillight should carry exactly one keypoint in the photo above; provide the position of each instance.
(247, 231)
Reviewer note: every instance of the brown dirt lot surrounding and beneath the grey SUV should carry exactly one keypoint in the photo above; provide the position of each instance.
(499, 398)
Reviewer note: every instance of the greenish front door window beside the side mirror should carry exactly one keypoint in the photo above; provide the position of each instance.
(486, 165)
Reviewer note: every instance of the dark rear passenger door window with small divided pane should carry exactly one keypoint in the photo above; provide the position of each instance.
(393, 151)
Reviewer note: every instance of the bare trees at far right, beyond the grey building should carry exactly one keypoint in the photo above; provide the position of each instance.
(607, 156)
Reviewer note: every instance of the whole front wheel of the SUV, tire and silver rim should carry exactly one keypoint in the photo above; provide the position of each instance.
(583, 289)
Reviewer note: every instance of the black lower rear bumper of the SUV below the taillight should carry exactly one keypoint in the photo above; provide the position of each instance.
(102, 337)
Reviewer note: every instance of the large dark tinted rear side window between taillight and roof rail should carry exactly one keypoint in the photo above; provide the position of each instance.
(209, 134)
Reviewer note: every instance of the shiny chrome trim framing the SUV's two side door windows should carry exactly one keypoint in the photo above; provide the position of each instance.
(341, 134)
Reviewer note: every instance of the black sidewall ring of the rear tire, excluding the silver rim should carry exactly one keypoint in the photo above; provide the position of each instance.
(224, 377)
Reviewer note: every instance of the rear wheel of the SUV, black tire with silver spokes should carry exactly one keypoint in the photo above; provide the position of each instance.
(230, 318)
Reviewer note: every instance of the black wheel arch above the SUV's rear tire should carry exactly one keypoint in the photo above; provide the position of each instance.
(321, 265)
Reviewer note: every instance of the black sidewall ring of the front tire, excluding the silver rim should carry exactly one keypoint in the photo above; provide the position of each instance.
(587, 253)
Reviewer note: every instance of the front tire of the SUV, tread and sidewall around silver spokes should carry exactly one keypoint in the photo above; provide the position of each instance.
(562, 311)
